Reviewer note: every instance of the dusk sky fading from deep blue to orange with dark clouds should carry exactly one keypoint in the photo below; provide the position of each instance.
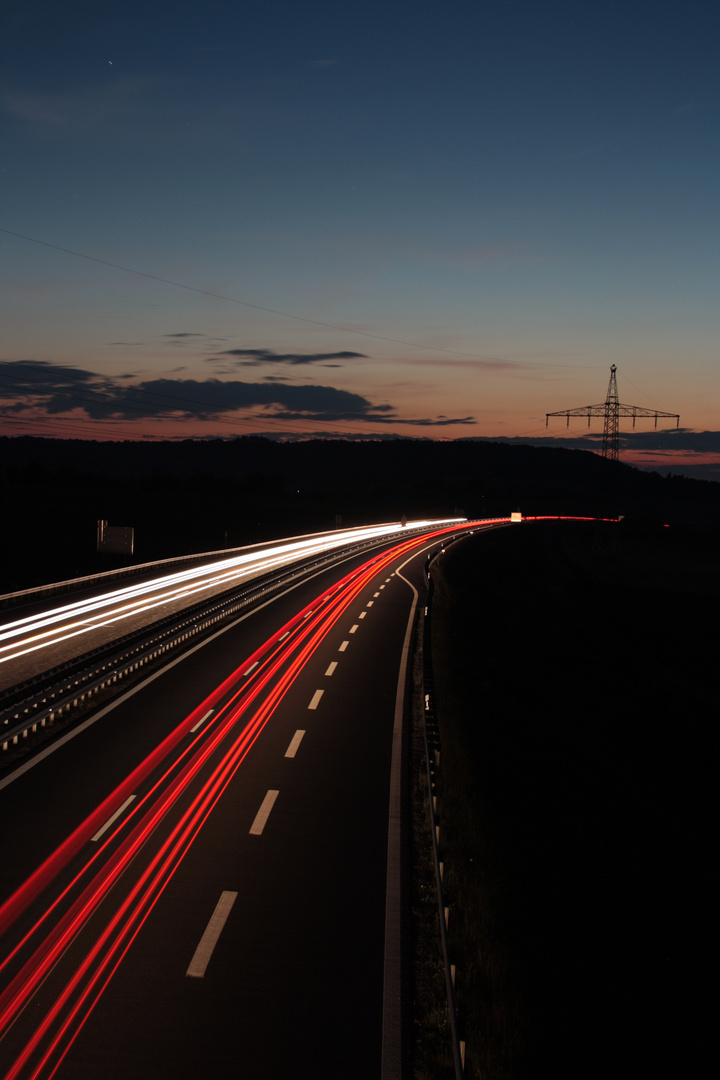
(429, 220)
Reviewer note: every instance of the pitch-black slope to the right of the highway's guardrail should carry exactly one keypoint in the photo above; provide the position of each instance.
(577, 681)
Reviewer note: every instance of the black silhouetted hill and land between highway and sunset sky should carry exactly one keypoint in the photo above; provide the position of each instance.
(192, 496)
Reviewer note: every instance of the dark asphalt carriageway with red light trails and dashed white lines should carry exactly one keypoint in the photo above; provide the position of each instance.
(201, 879)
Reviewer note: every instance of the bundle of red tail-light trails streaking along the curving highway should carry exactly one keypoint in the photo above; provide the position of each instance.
(216, 749)
